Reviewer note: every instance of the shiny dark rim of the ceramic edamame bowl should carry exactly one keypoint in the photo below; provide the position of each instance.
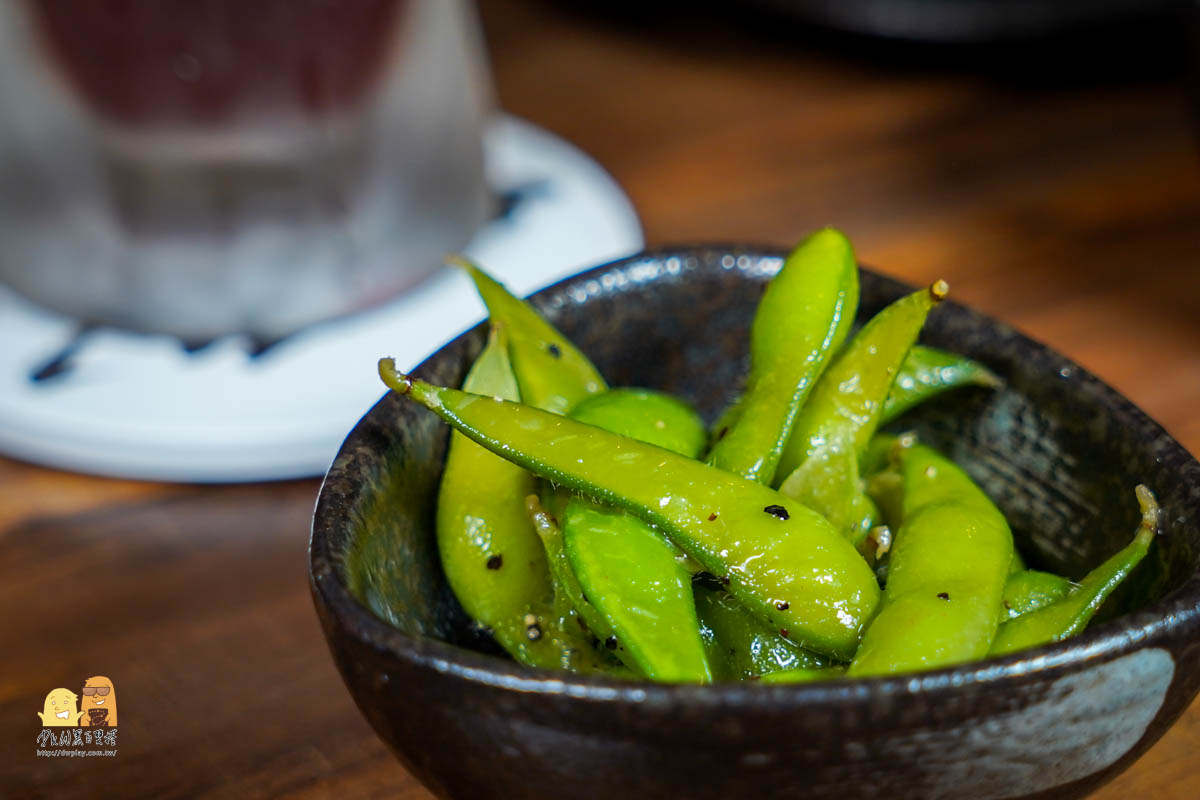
(1179, 611)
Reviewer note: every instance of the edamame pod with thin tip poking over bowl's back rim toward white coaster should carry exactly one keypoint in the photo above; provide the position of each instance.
(554, 375)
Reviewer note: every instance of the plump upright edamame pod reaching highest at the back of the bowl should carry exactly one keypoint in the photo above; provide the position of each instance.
(803, 317)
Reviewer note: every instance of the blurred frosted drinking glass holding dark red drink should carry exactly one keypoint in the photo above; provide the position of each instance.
(206, 167)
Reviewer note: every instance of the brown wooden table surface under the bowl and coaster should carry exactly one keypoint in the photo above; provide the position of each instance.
(1071, 212)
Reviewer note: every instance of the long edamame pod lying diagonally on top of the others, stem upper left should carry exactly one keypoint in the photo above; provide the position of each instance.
(784, 562)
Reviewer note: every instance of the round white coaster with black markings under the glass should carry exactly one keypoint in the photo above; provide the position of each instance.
(141, 407)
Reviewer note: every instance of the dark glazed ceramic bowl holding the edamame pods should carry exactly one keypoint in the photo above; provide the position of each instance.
(1059, 450)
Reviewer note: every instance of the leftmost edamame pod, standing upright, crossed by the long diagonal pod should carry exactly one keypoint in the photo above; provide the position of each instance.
(490, 554)
